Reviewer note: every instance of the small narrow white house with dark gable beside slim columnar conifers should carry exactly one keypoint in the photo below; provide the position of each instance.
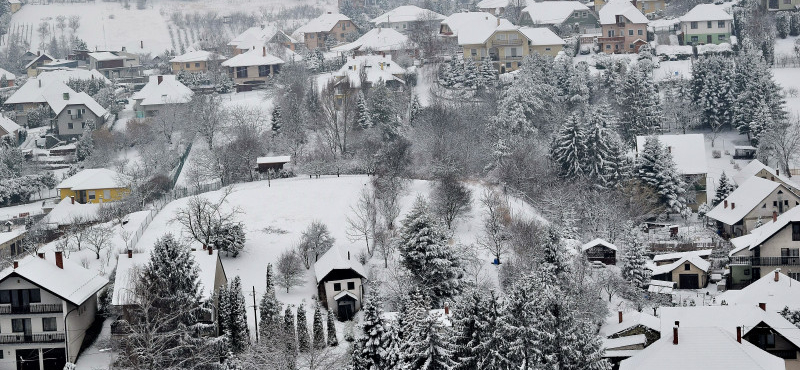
(339, 283)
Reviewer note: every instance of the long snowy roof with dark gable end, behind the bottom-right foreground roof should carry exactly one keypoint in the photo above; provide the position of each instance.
(727, 318)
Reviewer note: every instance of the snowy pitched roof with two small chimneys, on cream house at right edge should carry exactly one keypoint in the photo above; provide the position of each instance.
(744, 199)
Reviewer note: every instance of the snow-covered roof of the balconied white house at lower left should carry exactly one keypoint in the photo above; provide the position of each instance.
(73, 283)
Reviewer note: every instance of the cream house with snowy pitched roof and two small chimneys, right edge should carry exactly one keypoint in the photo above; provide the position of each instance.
(753, 202)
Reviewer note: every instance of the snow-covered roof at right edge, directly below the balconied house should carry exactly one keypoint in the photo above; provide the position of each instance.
(775, 294)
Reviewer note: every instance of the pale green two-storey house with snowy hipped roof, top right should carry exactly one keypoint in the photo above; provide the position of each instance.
(706, 24)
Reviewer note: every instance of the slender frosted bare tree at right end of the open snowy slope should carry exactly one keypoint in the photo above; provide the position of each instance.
(496, 220)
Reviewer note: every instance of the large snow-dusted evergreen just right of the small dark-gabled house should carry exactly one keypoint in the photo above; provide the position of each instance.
(425, 253)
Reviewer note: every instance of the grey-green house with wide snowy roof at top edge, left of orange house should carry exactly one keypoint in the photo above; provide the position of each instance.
(570, 16)
